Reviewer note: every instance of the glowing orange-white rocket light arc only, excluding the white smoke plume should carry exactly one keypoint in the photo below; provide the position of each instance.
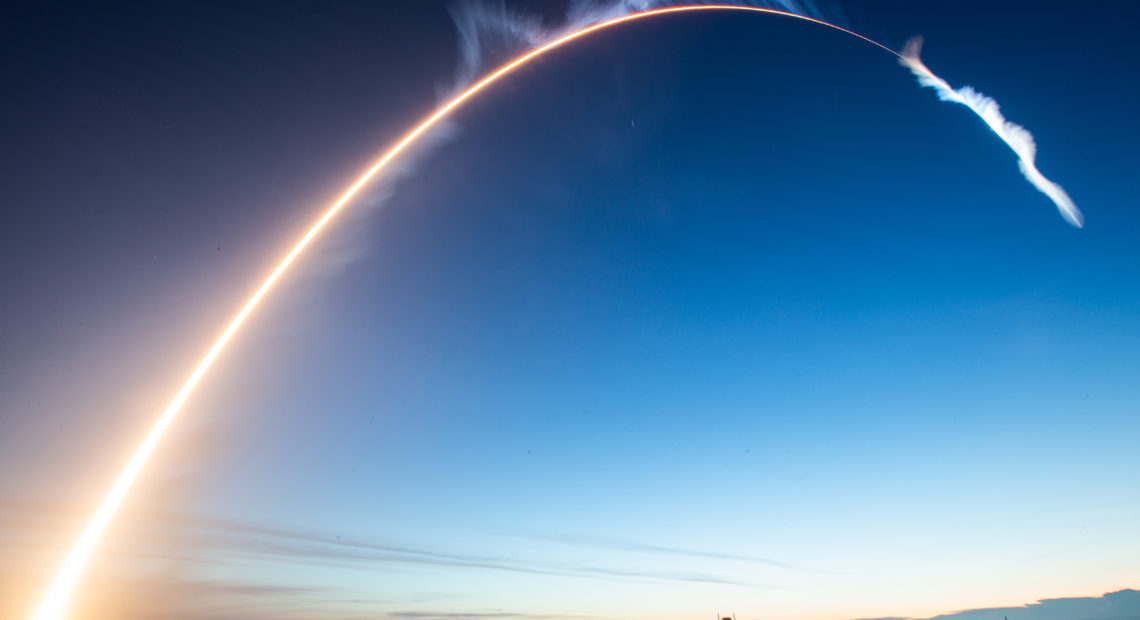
(55, 602)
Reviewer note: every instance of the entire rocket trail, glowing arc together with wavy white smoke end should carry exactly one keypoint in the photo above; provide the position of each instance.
(55, 602)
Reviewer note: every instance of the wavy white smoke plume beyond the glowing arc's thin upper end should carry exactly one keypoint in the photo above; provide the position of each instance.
(1017, 137)
